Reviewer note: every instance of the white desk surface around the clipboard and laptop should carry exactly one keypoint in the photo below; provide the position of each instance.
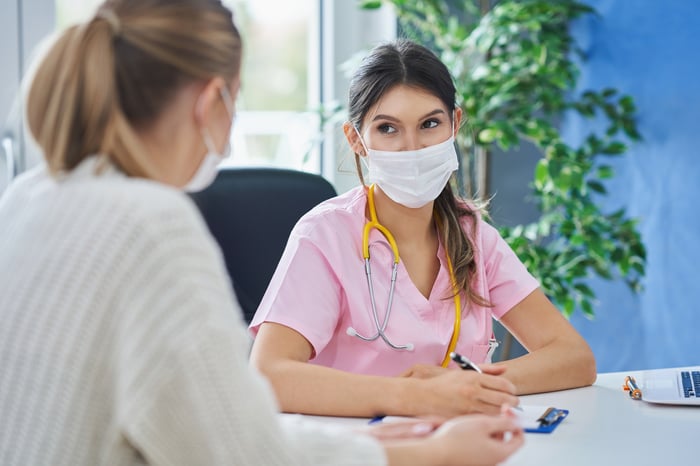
(606, 427)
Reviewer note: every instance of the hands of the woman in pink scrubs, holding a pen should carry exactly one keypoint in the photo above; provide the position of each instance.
(451, 392)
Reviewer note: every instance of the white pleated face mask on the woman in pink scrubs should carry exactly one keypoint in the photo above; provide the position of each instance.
(413, 178)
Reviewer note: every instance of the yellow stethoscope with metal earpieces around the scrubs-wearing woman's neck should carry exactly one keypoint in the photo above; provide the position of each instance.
(381, 327)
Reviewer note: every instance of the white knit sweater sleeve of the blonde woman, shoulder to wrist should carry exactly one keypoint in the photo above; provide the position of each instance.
(187, 394)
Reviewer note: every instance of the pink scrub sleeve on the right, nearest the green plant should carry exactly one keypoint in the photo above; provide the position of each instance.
(508, 281)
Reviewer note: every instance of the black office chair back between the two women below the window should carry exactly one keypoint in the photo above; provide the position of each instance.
(250, 212)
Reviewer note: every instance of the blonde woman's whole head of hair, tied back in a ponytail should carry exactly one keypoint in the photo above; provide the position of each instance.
(102, 79)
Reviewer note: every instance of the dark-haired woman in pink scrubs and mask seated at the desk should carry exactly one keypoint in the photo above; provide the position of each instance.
(328, 345)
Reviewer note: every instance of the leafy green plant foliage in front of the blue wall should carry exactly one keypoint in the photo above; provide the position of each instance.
(515, 75)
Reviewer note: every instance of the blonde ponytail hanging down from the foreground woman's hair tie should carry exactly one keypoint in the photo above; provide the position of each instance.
(73, 106)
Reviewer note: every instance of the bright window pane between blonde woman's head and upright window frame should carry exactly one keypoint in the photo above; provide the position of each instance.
(276, 120)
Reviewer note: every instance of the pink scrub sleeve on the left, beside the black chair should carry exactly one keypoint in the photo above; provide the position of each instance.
(304, 294)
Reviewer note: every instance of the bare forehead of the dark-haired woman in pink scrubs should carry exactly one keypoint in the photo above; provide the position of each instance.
(405, 102)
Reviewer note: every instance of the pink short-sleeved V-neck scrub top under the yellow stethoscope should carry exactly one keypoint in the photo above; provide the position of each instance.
(320, 289)
